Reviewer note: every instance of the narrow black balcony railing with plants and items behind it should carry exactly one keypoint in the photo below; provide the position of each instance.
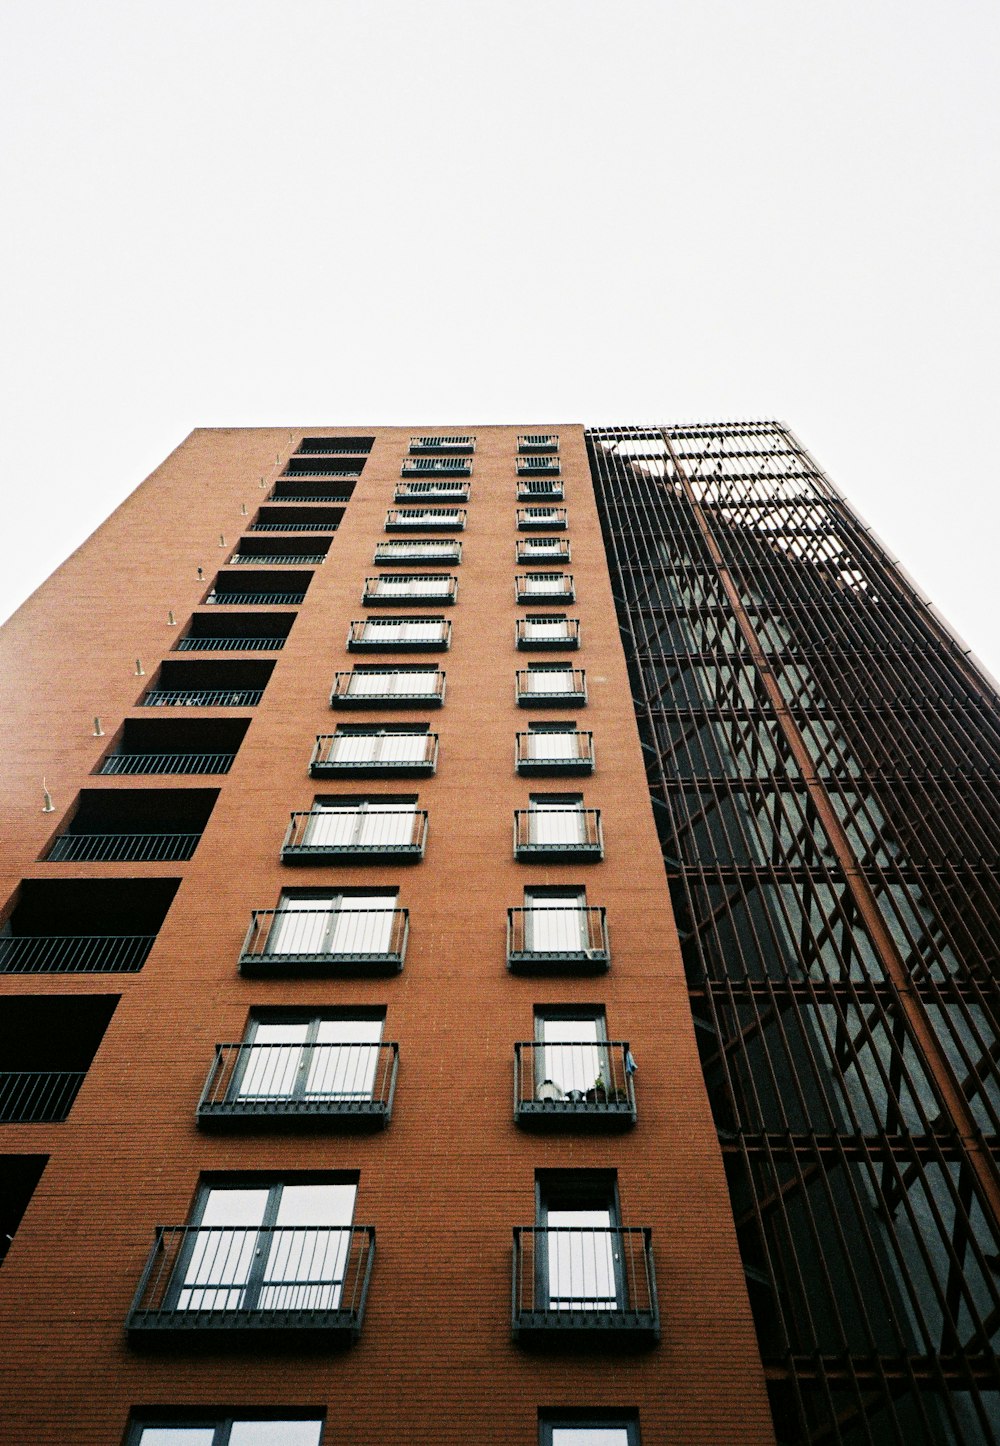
(579, 1085)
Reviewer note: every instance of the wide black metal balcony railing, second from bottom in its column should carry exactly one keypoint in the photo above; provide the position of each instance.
(252, 1085)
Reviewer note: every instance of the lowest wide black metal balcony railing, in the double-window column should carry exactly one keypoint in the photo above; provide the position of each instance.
(262, 1279)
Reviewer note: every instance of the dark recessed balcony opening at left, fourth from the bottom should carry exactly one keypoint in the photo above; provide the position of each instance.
(134, 826)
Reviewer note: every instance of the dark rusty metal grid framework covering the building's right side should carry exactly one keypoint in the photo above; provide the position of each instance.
(824, 766)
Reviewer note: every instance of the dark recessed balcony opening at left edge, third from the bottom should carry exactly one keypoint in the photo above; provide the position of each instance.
(83, 926)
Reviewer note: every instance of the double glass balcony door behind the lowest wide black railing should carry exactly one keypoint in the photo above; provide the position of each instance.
(270, 1247)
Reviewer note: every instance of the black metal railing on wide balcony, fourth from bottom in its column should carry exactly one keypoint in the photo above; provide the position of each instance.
(356, 835)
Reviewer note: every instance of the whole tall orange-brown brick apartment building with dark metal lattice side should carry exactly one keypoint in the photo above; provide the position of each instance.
(356, 1084)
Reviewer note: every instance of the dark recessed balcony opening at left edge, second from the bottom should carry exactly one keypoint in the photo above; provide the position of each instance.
(47, 1046)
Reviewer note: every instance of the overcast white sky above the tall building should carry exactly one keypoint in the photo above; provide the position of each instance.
(267, 212)
